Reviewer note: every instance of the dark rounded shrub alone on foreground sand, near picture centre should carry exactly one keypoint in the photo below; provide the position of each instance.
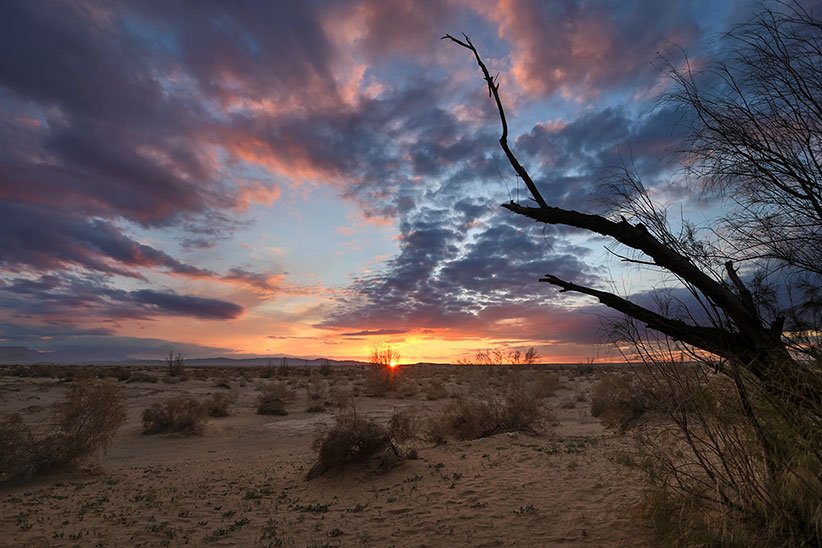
(353, 438)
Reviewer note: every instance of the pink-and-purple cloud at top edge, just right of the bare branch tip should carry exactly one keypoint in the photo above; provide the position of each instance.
(581, 49)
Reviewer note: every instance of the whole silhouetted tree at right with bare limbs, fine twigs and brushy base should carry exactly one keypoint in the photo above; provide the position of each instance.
(756, 142)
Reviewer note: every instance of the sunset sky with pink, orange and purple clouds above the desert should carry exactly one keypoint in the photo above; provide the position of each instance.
(267, 178)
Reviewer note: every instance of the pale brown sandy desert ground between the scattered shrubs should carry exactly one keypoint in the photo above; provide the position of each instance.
(242, 483)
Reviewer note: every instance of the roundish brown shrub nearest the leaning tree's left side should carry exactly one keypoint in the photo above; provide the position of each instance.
(618, 402)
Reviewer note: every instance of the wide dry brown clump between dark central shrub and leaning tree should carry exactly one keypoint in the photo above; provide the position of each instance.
(516, 407)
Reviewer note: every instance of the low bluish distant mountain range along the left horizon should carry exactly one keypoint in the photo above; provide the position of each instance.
(13, 355)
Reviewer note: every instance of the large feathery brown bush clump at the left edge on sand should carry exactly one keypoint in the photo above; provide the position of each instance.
(82, 426)
